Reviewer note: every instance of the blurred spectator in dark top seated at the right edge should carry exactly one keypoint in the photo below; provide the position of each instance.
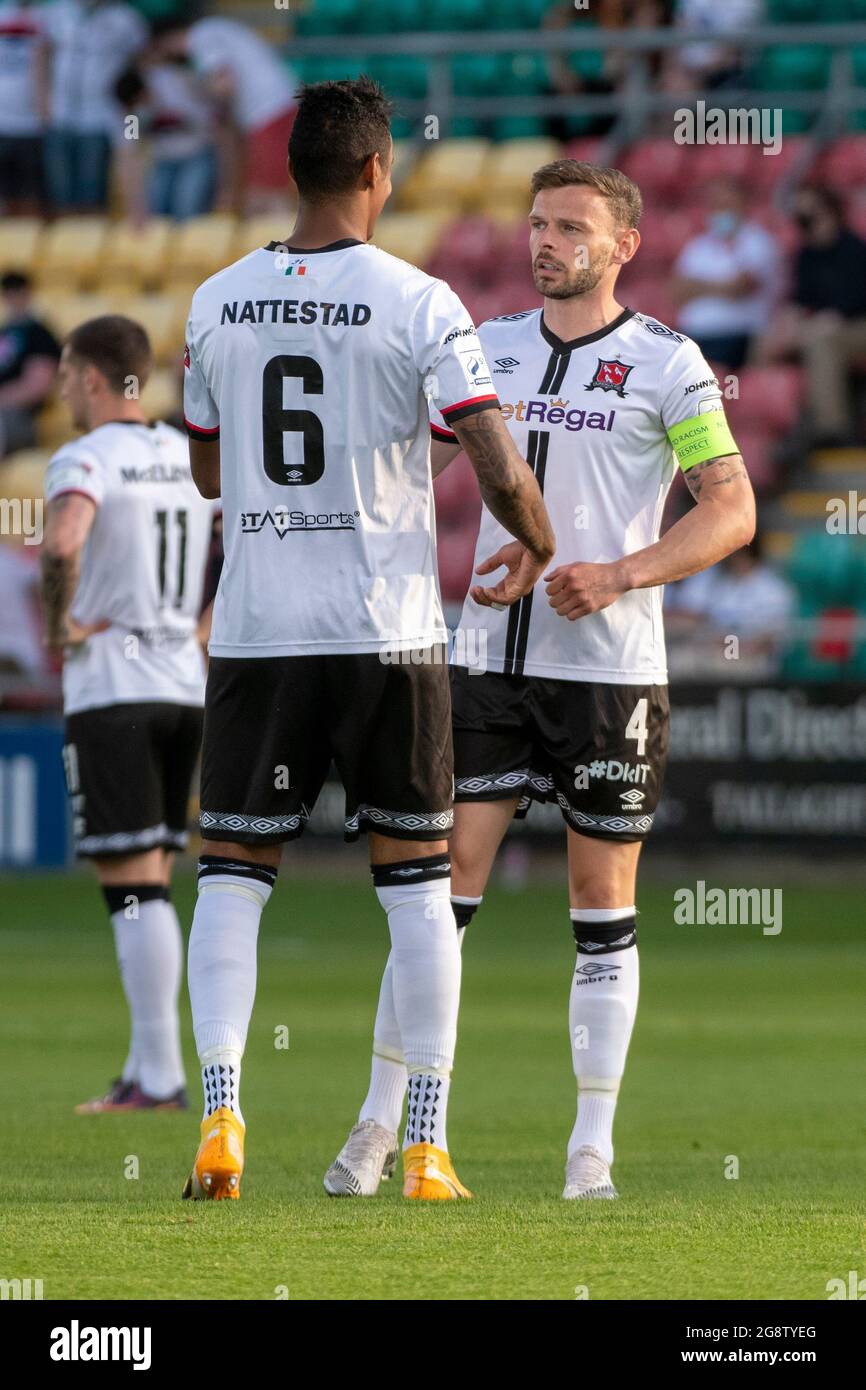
(825, 325)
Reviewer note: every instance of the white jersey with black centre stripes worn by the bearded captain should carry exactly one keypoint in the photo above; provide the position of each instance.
(598, 419)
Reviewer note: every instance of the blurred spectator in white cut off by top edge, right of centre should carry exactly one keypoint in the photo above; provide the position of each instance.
(715, 62)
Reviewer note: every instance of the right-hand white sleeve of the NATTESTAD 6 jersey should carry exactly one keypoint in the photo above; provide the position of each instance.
(451, 361)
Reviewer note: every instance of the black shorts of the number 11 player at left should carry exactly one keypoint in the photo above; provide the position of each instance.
(129, 772)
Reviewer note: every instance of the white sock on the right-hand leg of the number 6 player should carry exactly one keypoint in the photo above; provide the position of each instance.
(426, 975)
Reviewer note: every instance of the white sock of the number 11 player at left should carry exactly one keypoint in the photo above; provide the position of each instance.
(149, 950)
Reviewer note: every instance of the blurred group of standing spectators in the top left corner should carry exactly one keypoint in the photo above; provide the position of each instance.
(186, 117)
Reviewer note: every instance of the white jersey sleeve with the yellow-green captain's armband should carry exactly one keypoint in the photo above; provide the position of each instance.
(693, 409)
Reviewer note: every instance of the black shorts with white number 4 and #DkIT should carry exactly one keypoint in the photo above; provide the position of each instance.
(598, 751)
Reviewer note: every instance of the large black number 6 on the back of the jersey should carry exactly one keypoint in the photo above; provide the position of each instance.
(277, 423)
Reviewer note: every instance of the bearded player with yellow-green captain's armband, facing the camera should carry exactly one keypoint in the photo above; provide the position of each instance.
(564, 697)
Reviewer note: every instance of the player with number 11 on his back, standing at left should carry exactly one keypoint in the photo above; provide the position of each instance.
(127, 540)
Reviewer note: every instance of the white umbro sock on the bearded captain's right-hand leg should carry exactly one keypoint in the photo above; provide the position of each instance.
(601, 1017)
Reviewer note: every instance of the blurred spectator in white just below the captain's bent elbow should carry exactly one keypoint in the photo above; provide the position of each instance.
(742, 597)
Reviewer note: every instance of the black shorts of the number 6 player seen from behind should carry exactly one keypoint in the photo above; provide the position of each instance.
(275, 725)
